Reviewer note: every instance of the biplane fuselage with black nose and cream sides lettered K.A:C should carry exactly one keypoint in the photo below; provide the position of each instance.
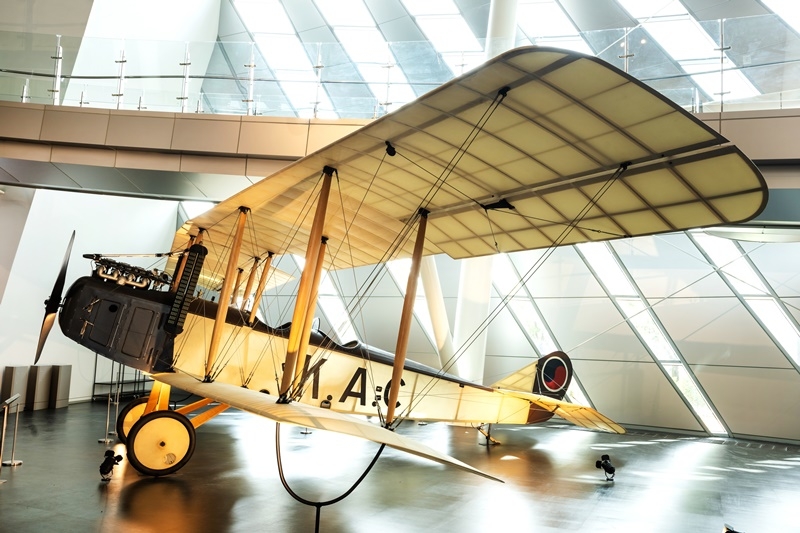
(129, 325)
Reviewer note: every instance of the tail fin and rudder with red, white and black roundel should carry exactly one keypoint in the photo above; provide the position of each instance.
(548, 376)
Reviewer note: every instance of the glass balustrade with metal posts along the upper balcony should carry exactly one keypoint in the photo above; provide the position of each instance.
(235, 78)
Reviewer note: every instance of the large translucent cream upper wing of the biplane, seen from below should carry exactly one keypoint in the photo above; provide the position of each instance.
(551, 148)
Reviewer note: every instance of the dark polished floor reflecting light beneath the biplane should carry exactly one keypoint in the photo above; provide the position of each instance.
(664, 483)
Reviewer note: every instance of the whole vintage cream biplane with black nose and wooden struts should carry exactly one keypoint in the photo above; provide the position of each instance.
(537, 148)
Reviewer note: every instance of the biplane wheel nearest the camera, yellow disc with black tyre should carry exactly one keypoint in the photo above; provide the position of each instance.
(160, 443)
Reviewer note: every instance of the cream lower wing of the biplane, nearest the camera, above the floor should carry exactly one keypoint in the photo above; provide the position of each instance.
(308, 416)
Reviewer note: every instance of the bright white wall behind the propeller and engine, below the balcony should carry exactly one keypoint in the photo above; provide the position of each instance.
(103, 224)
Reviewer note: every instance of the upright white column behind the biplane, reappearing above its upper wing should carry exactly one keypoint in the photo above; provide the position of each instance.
(475, 284)
